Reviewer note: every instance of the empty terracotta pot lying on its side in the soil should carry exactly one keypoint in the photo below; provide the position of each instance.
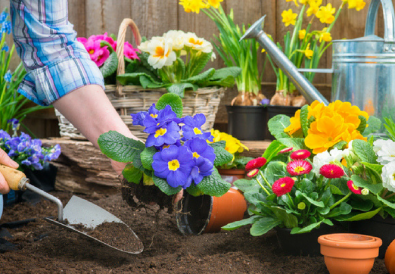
(207, 214)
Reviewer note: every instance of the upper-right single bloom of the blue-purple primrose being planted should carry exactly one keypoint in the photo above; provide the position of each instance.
(193, 128)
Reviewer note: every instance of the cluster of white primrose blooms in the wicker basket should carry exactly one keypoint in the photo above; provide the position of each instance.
(164, 50)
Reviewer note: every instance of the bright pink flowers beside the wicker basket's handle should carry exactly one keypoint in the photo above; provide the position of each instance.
(99, 53)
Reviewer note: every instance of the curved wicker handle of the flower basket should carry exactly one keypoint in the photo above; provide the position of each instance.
(127, 22)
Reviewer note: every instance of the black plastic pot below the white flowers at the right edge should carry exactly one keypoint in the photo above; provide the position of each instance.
(377, 227)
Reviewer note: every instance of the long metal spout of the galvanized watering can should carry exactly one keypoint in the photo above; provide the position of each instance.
(301, 83)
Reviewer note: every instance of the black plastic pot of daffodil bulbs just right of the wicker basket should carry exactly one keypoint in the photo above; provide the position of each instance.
(247, 122)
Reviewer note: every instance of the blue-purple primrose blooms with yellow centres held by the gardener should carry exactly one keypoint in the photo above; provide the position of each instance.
(180, 160)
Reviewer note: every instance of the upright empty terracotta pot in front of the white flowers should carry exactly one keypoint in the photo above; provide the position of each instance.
(349, 253)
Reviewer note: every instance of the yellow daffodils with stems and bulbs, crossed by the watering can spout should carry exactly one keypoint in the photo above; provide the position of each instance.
(304, 46)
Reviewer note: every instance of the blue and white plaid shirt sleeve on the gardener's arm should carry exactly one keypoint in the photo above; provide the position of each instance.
(56, 63)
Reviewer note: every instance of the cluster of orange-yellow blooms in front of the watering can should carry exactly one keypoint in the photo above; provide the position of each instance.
(332, 124)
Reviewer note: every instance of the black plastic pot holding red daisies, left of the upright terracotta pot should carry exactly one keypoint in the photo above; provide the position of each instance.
(305, 244)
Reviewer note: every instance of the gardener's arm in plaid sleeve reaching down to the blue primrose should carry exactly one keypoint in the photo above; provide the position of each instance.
(59, 70)
